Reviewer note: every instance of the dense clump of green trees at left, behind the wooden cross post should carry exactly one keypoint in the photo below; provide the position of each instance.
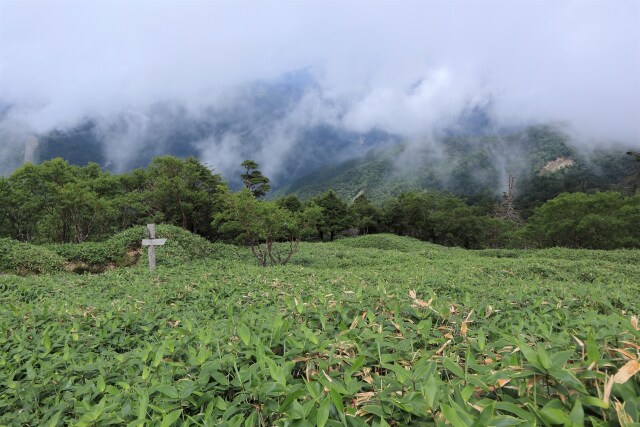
(57, 203)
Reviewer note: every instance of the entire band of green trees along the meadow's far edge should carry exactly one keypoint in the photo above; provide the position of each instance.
(55, 202)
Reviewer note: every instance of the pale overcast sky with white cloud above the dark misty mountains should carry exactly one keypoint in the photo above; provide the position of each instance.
(577, 62)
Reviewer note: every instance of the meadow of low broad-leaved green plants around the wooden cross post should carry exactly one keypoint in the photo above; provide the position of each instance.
(376, 330)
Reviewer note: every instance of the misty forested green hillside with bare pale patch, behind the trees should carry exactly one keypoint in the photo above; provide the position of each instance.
(475, 167)
